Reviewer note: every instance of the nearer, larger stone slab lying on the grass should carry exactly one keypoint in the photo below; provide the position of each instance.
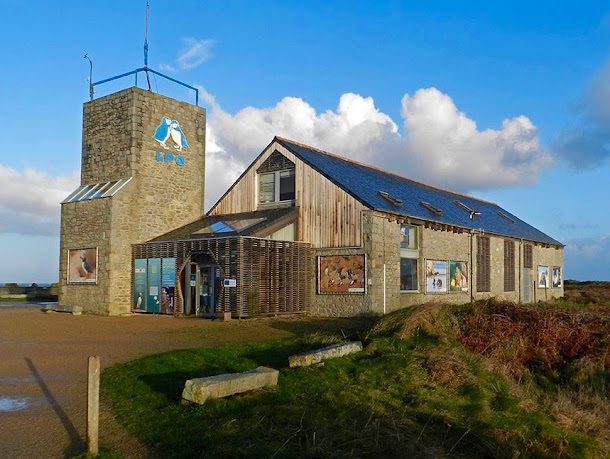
(199, 390)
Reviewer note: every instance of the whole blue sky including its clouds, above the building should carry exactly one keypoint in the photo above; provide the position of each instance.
(509, 103)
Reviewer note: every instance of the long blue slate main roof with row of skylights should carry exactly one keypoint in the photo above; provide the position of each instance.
(365, 183)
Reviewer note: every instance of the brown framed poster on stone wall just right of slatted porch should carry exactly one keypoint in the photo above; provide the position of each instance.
(341, 274)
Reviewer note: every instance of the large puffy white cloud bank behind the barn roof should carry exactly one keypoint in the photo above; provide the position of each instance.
(439, 143)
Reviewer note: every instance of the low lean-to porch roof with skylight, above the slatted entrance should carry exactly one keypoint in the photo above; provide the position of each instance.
(259, 223)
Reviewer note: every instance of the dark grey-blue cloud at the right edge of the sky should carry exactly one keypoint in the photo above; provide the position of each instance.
(585, 143)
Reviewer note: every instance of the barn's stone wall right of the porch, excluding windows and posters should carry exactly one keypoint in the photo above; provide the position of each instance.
(381, 244)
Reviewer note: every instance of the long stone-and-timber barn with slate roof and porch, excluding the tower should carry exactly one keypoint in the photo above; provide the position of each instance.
(314, 232)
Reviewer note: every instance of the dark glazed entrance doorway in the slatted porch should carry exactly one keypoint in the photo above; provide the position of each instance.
(203, 286)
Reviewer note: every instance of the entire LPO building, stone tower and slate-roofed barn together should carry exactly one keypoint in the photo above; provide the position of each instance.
(301, 231)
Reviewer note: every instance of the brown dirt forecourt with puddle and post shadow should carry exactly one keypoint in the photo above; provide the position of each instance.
(43, 361)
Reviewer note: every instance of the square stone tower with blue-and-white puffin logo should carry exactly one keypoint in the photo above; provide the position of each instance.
(142, 174)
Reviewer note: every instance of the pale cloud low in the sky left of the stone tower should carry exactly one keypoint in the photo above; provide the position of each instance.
(29, 201)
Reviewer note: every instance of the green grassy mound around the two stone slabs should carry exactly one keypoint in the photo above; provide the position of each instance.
(407, 395)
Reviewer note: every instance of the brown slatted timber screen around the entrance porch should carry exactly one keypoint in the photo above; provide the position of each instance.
(272, 277)
